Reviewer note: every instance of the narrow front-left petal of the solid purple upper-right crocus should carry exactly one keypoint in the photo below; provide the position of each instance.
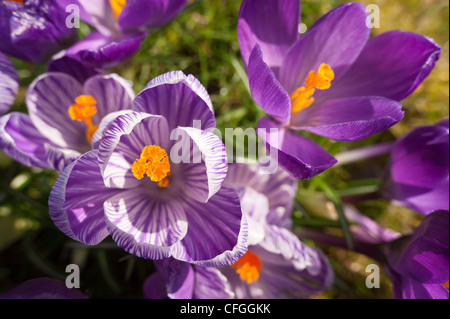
(266, 91)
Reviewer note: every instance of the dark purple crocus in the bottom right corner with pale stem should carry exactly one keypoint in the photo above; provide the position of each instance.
(417, 263)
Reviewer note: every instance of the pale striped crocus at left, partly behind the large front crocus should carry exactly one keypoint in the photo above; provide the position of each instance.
(63, 115)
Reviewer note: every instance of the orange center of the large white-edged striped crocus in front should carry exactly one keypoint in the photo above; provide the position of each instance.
(154, 162)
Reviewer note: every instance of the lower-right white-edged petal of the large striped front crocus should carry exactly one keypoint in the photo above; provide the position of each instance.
(217, 233)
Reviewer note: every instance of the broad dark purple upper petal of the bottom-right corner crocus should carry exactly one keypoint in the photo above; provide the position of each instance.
(423, 256)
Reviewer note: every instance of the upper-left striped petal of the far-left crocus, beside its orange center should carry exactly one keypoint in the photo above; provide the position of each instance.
(48, 99)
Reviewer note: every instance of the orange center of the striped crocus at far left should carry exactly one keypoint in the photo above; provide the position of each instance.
(84, 110)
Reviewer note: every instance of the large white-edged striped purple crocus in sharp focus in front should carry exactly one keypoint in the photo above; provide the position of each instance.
(147, 186)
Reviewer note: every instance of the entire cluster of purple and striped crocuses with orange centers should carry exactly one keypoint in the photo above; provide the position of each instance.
(139, 169)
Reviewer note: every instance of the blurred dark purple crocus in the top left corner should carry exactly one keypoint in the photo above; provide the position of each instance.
(33, 30)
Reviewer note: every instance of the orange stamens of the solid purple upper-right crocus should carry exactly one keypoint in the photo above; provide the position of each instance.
(303, 96)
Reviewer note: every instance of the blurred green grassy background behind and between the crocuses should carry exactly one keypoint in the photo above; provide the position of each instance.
(202, 41)
